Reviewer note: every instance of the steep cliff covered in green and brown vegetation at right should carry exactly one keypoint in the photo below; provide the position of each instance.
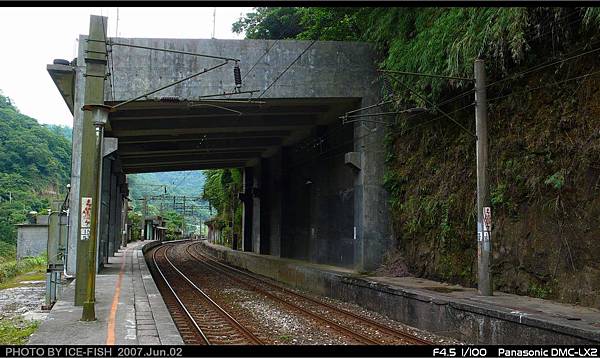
(543, 152)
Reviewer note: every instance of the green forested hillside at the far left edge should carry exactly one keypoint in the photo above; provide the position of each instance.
(34, 168)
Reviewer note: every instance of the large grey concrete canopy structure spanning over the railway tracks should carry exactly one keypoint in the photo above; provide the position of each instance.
(312, 185)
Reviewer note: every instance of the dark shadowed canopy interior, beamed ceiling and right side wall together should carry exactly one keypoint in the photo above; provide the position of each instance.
(297, 193)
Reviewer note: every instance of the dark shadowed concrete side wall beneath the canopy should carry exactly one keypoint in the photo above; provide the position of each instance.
(307, 200)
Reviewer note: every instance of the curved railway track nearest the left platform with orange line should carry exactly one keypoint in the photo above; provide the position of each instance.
(199, 318)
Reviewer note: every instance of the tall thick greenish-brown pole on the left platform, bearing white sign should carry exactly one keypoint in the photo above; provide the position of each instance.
(91, 158)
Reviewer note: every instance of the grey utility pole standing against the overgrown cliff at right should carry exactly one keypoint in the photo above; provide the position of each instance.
(484, 213)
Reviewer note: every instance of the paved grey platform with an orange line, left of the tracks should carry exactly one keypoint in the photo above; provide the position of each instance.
(129, 308)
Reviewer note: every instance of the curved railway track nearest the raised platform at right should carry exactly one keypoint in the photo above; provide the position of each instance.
(347, 323)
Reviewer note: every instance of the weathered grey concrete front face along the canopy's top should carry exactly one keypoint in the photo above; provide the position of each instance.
(328, 68)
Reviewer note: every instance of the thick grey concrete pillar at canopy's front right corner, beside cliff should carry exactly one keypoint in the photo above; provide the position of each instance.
(372, 230)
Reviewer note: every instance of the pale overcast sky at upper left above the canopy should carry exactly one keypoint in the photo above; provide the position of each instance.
(33, 37)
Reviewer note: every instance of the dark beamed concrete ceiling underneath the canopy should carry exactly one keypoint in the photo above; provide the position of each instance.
(168, 136)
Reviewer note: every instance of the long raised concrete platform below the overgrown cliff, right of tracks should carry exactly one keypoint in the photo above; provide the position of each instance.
(448, 310)
